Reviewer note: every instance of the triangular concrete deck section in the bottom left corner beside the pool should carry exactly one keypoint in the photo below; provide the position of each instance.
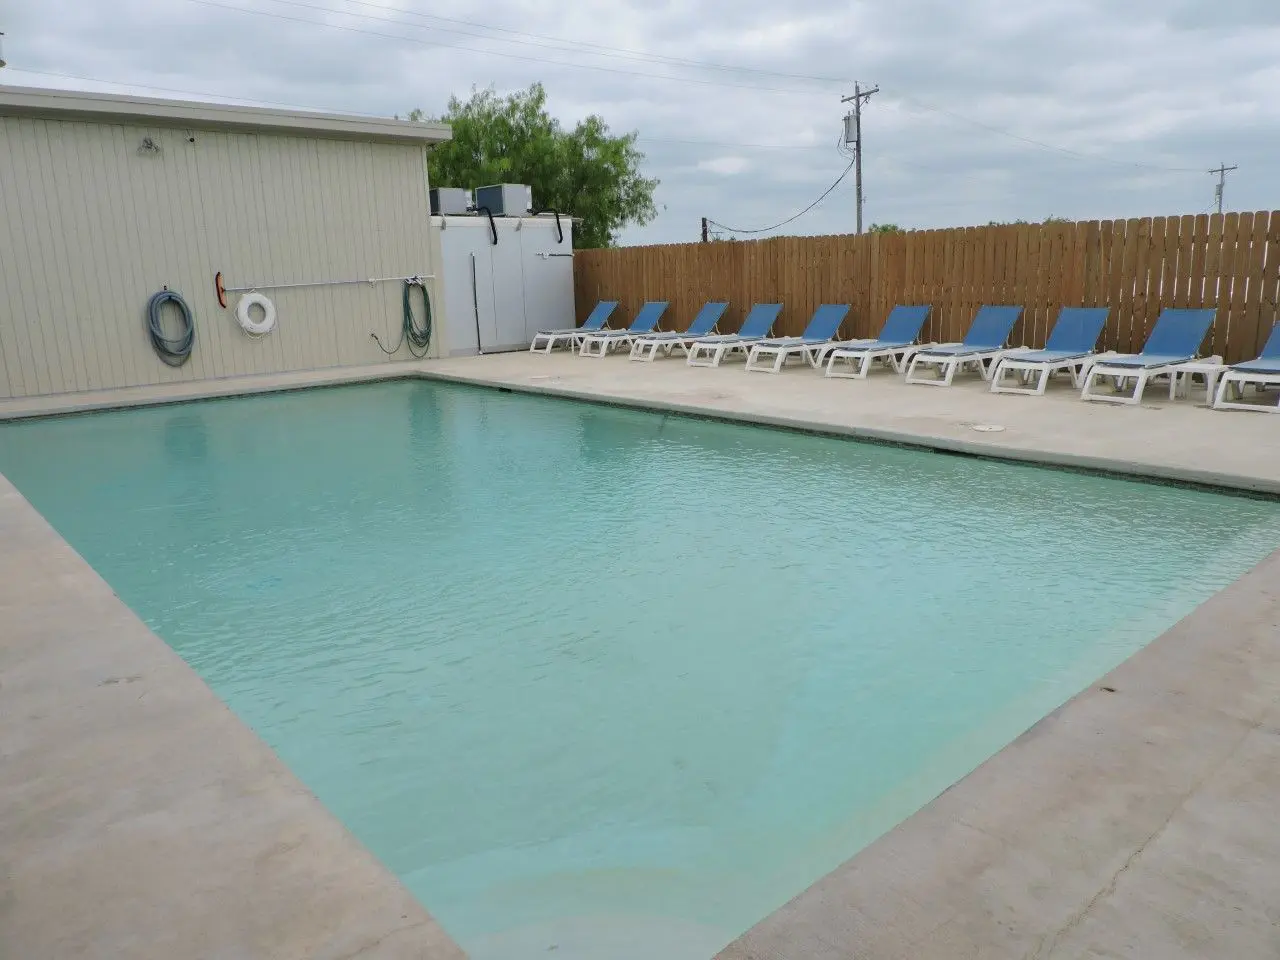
(139, 817)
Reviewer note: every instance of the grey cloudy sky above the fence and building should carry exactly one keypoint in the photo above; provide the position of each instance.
(989, 109)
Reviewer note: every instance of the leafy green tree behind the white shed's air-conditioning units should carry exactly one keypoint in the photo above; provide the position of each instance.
(586, 172)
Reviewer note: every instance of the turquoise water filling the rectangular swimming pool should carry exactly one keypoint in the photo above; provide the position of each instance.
(607, 682)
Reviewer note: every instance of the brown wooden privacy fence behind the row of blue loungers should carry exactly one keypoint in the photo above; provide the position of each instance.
(1136, 267)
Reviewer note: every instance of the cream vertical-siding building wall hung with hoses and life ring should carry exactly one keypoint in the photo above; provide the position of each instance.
(92, 226)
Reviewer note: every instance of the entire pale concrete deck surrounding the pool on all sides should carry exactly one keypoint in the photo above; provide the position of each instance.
(1136, 821)
